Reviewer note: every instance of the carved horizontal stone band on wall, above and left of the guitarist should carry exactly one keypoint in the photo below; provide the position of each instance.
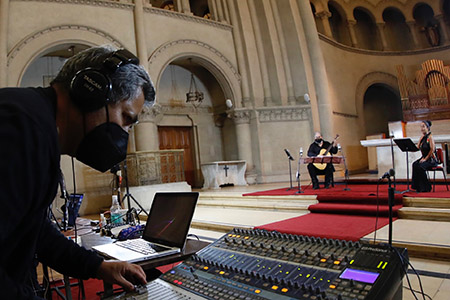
(283, 114)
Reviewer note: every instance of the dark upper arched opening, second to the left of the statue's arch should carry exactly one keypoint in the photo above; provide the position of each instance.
(366, 30)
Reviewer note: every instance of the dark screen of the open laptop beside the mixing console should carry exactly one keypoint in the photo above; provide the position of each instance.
(170, 218)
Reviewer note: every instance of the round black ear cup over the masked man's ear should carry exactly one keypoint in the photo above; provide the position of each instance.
(90, 89)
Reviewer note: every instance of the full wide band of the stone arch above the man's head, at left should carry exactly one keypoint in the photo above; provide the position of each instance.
(29, 48)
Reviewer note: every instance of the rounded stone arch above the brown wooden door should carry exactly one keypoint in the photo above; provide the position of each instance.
(202, 54)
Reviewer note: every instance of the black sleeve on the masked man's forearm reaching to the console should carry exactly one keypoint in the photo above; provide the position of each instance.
(65, 256)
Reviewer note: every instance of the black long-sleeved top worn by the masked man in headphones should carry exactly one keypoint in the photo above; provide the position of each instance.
(29, 164)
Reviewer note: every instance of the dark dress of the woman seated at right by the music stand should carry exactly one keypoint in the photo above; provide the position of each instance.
(420, 181)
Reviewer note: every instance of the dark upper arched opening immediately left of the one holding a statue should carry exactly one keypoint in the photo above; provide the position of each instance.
(396, 30)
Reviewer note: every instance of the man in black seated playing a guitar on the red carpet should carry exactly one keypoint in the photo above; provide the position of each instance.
(321, 147)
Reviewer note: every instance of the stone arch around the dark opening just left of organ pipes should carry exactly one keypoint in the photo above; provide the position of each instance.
(364, 83)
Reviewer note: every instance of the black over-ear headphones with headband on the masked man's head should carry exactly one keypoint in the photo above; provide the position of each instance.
(90, 88)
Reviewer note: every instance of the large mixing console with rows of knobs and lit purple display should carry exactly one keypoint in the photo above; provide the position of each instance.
(258, 264)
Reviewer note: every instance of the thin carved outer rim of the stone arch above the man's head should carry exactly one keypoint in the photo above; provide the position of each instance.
(42, 32)
